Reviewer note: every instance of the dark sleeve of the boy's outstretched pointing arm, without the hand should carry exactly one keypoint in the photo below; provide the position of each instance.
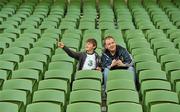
(71, 53)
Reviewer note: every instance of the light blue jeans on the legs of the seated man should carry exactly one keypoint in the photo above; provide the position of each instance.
(106, 72)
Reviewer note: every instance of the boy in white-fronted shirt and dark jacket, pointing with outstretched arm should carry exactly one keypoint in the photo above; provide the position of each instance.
(89, 59)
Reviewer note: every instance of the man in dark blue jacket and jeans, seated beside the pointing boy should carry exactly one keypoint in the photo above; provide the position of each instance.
(114, 57)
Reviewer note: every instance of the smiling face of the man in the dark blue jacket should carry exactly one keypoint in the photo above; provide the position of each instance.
(110, 44)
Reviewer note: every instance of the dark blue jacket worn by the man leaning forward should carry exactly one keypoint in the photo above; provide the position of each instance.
(121, 53)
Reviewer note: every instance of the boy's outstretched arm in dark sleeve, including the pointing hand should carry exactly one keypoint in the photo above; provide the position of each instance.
(70, 52)
